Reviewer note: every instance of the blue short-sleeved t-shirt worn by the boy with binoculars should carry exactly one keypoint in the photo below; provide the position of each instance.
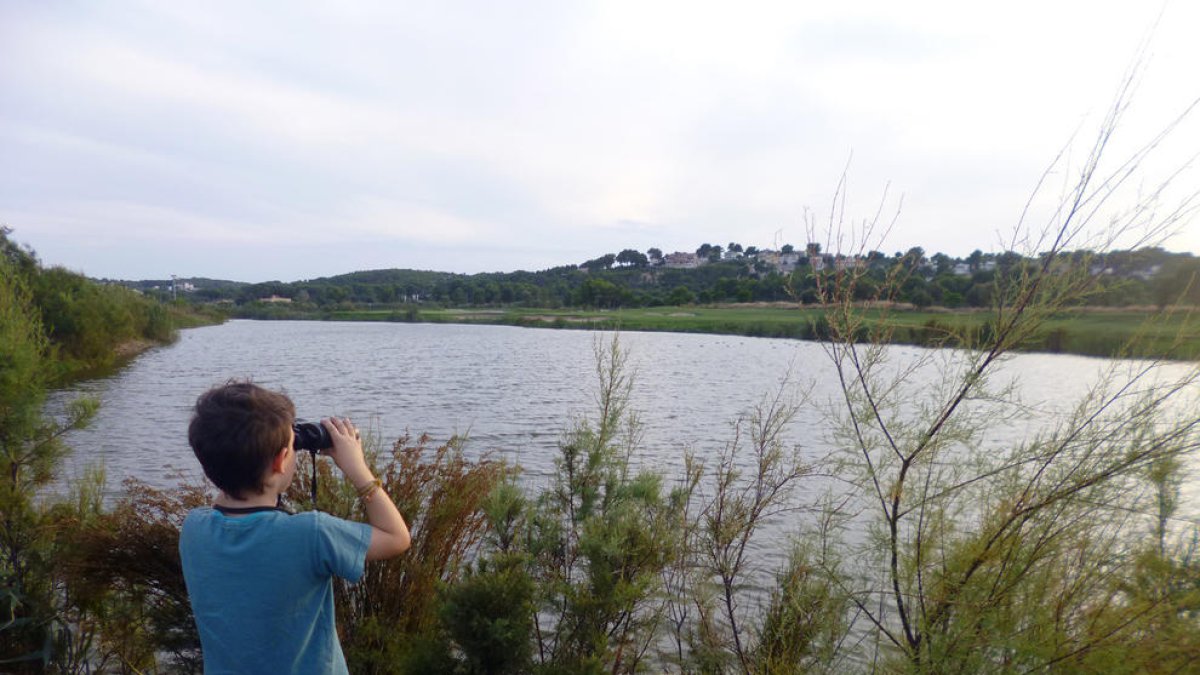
(262, 588)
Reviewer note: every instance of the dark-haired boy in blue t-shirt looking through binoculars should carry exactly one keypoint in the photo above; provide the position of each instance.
(261, 580)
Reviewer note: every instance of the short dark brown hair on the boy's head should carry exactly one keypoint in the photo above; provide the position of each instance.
(237, 431)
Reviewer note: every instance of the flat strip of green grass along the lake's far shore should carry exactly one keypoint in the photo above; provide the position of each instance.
(1089, 332)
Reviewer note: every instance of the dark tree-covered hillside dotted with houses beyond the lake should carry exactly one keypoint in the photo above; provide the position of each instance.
(631, 279)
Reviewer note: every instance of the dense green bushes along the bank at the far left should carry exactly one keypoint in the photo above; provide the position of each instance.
(55, 325)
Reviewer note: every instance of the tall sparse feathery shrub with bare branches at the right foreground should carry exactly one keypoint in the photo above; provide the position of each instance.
(1064, 552)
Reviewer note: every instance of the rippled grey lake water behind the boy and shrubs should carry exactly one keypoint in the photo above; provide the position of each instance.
(512, 391)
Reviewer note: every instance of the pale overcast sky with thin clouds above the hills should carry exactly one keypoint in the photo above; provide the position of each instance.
(287, 141)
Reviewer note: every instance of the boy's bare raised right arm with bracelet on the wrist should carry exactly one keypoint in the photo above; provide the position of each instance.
(389, 534)
